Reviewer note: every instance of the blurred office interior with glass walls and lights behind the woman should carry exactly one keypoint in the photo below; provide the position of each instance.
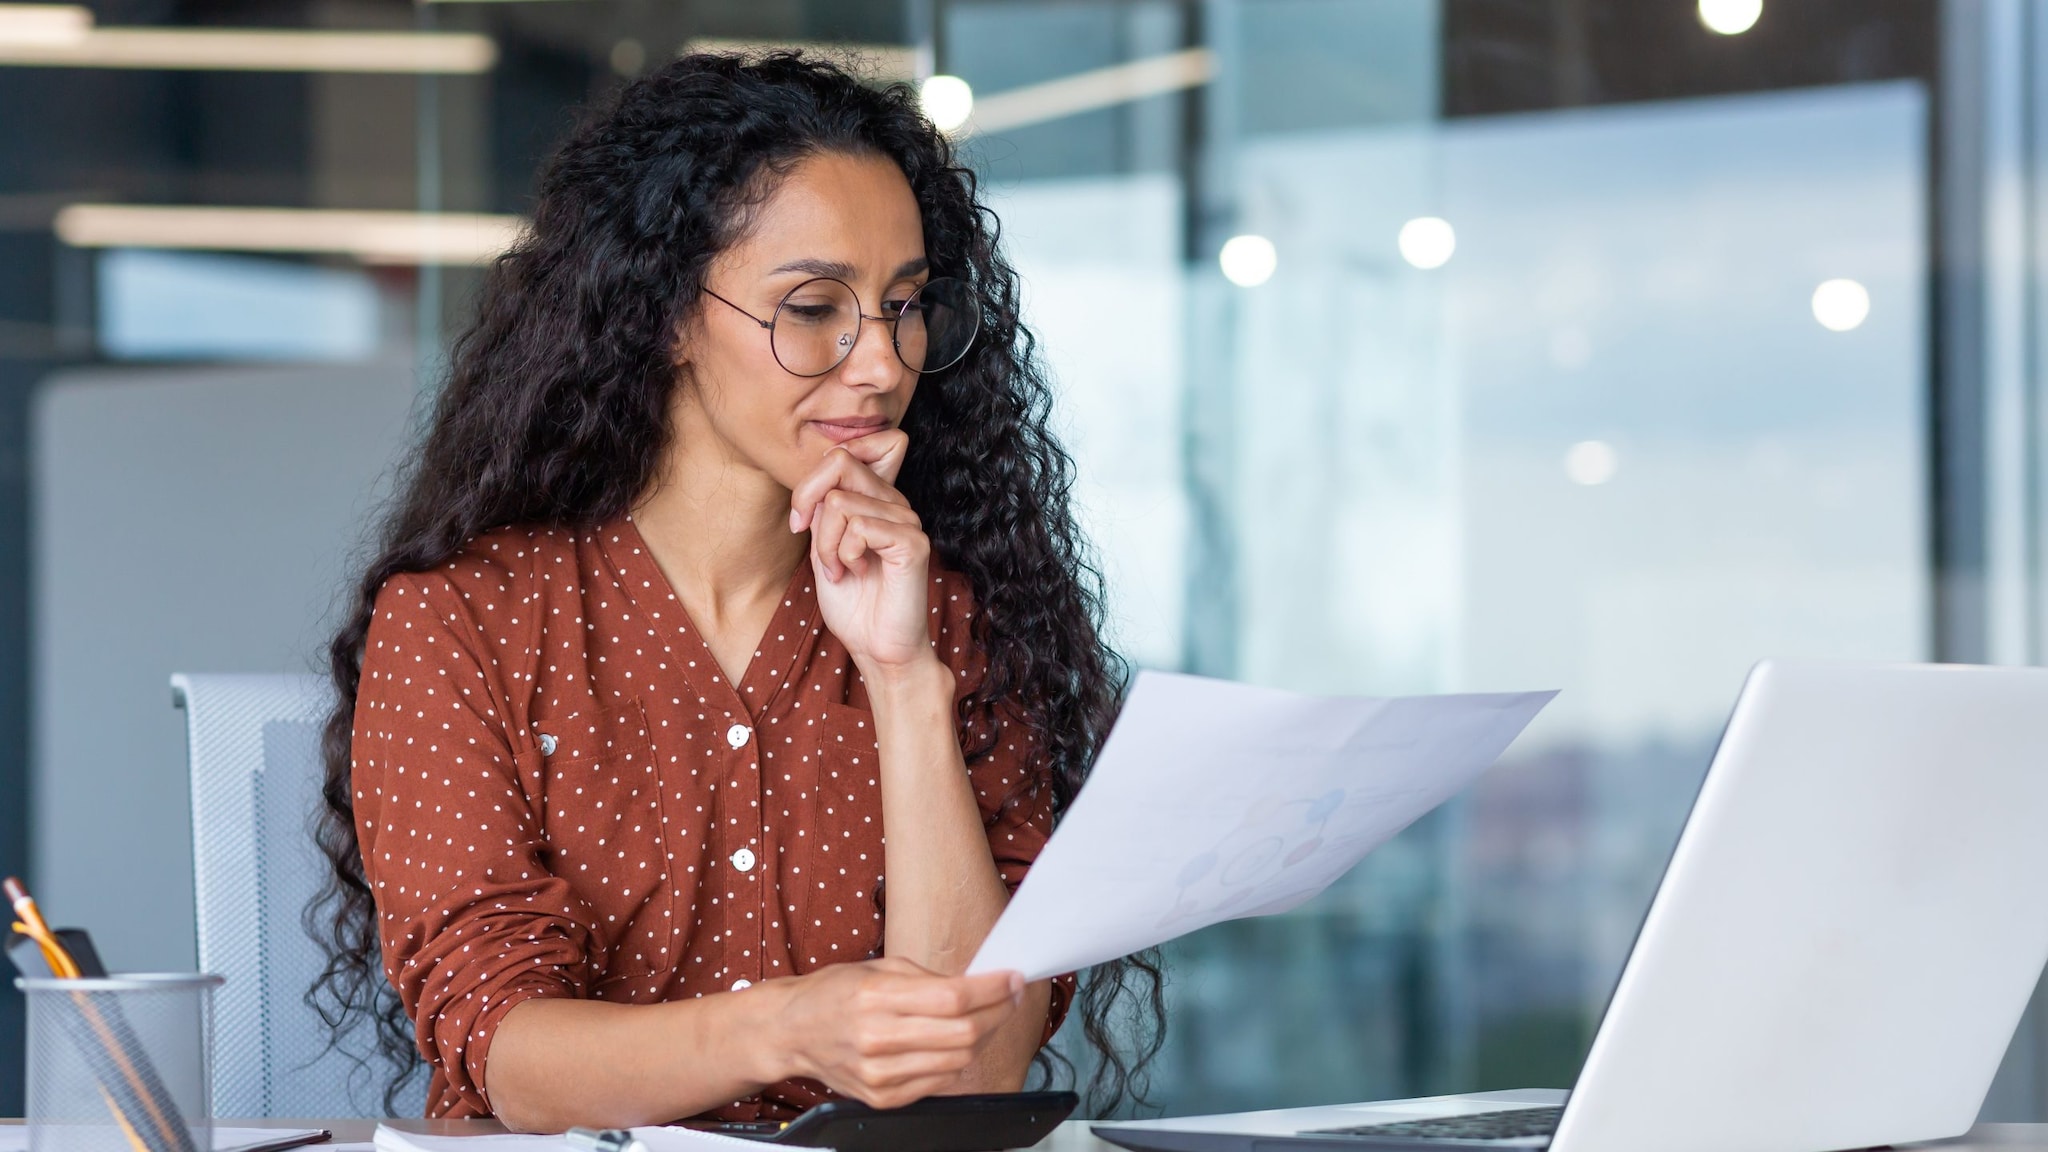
(1404, 347)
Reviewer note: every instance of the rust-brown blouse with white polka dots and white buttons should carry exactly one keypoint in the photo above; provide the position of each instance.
(558, 794)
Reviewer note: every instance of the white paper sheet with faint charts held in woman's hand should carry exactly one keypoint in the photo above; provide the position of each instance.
(1215, 800)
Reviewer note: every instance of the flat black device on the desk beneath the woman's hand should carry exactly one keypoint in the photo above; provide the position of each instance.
(935, 1124)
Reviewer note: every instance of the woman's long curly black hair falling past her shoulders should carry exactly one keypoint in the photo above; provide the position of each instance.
(556, 413)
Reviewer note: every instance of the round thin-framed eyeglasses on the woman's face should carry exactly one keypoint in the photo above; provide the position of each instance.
(818, 325)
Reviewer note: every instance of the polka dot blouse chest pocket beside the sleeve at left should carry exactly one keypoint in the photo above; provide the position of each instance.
(601, 825)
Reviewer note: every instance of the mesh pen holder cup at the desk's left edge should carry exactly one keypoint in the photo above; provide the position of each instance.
(122, 1065)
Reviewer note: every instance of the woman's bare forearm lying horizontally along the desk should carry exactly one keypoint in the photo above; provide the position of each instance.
(585, 1063)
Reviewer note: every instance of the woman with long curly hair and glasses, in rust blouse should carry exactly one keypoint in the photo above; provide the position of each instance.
(738, 540)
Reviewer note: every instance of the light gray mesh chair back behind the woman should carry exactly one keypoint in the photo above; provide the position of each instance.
(255, 747)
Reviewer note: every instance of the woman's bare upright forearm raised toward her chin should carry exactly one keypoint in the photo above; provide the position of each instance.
(943, 889)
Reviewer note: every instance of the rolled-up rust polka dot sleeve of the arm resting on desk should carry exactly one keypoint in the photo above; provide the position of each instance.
(470, 917)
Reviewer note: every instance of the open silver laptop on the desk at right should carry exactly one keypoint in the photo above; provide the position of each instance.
(1838, 956)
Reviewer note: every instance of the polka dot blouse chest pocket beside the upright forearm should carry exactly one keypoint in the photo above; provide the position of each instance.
(841, 909)
